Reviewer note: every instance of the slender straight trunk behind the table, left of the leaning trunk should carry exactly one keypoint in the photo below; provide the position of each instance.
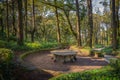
(57, 24)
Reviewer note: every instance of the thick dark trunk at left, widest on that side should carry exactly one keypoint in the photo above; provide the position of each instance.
(20, 23)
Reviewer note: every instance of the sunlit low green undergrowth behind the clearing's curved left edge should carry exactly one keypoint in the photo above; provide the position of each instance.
(31, 46)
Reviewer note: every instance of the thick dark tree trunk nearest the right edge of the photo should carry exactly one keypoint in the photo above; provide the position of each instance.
(114, 28)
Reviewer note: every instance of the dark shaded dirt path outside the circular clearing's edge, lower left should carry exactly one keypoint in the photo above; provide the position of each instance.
(25, 74)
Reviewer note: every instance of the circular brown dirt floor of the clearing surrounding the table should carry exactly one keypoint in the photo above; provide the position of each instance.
(42, 60)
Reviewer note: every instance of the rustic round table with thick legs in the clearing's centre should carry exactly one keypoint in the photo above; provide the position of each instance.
(64, 56)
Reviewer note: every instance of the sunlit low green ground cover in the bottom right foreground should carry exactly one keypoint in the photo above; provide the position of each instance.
(97, 74)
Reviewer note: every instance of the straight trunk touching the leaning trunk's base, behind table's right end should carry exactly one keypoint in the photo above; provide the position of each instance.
(78, 25)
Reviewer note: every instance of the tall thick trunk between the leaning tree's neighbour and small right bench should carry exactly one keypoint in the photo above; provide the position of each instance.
(90, 21)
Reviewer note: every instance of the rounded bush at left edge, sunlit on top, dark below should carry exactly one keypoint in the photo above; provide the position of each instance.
(6, 57)
